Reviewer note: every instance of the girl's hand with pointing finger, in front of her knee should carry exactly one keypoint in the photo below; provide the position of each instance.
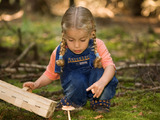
(97, 88)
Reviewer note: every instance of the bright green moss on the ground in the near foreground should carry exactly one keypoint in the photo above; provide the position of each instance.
(127, 107)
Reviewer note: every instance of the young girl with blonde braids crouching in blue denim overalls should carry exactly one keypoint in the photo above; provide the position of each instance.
(82, 63)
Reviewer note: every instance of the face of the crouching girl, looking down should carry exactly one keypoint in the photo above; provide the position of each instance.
(77, 40)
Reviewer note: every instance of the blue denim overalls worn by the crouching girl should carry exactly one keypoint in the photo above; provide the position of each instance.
(78, 74)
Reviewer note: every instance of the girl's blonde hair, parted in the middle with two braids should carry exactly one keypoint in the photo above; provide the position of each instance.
(79, 18)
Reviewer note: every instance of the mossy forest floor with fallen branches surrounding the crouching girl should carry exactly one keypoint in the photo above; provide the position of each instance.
(130, 40)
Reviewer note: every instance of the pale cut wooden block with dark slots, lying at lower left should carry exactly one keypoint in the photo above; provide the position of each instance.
(26, 100)
